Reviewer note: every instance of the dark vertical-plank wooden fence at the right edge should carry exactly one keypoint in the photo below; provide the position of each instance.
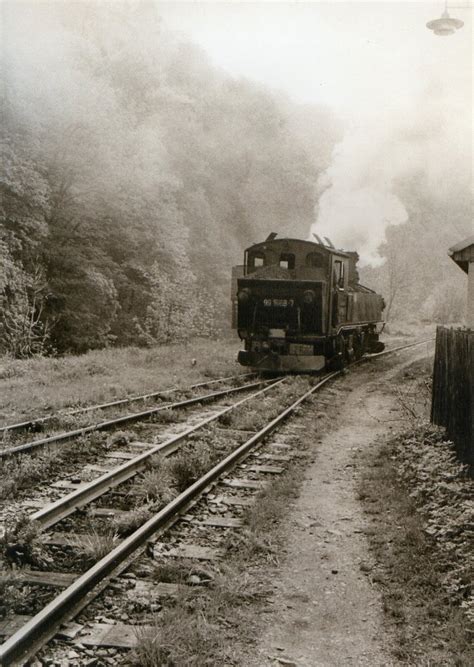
(452, 403)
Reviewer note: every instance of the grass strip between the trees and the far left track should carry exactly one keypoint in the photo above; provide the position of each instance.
(42, 385)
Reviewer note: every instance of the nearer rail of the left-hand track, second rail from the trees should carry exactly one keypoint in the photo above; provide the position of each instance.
(124, 419)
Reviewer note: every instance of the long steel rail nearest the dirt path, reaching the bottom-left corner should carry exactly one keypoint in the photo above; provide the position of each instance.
(39, 629)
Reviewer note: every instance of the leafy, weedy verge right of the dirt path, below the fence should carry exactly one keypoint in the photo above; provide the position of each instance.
(417, 498)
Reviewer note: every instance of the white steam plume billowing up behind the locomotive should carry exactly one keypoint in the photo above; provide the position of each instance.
(385, 159)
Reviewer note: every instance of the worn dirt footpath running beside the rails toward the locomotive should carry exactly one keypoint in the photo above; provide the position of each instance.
(325, 610)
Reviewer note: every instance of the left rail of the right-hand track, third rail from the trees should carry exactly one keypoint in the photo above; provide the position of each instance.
(63, 507)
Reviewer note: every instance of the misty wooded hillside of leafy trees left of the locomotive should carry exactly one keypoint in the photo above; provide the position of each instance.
(133, 175)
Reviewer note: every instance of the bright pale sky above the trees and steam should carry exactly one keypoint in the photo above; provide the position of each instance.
(342, 54)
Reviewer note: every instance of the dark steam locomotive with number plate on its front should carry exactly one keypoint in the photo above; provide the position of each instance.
(298, 306)
